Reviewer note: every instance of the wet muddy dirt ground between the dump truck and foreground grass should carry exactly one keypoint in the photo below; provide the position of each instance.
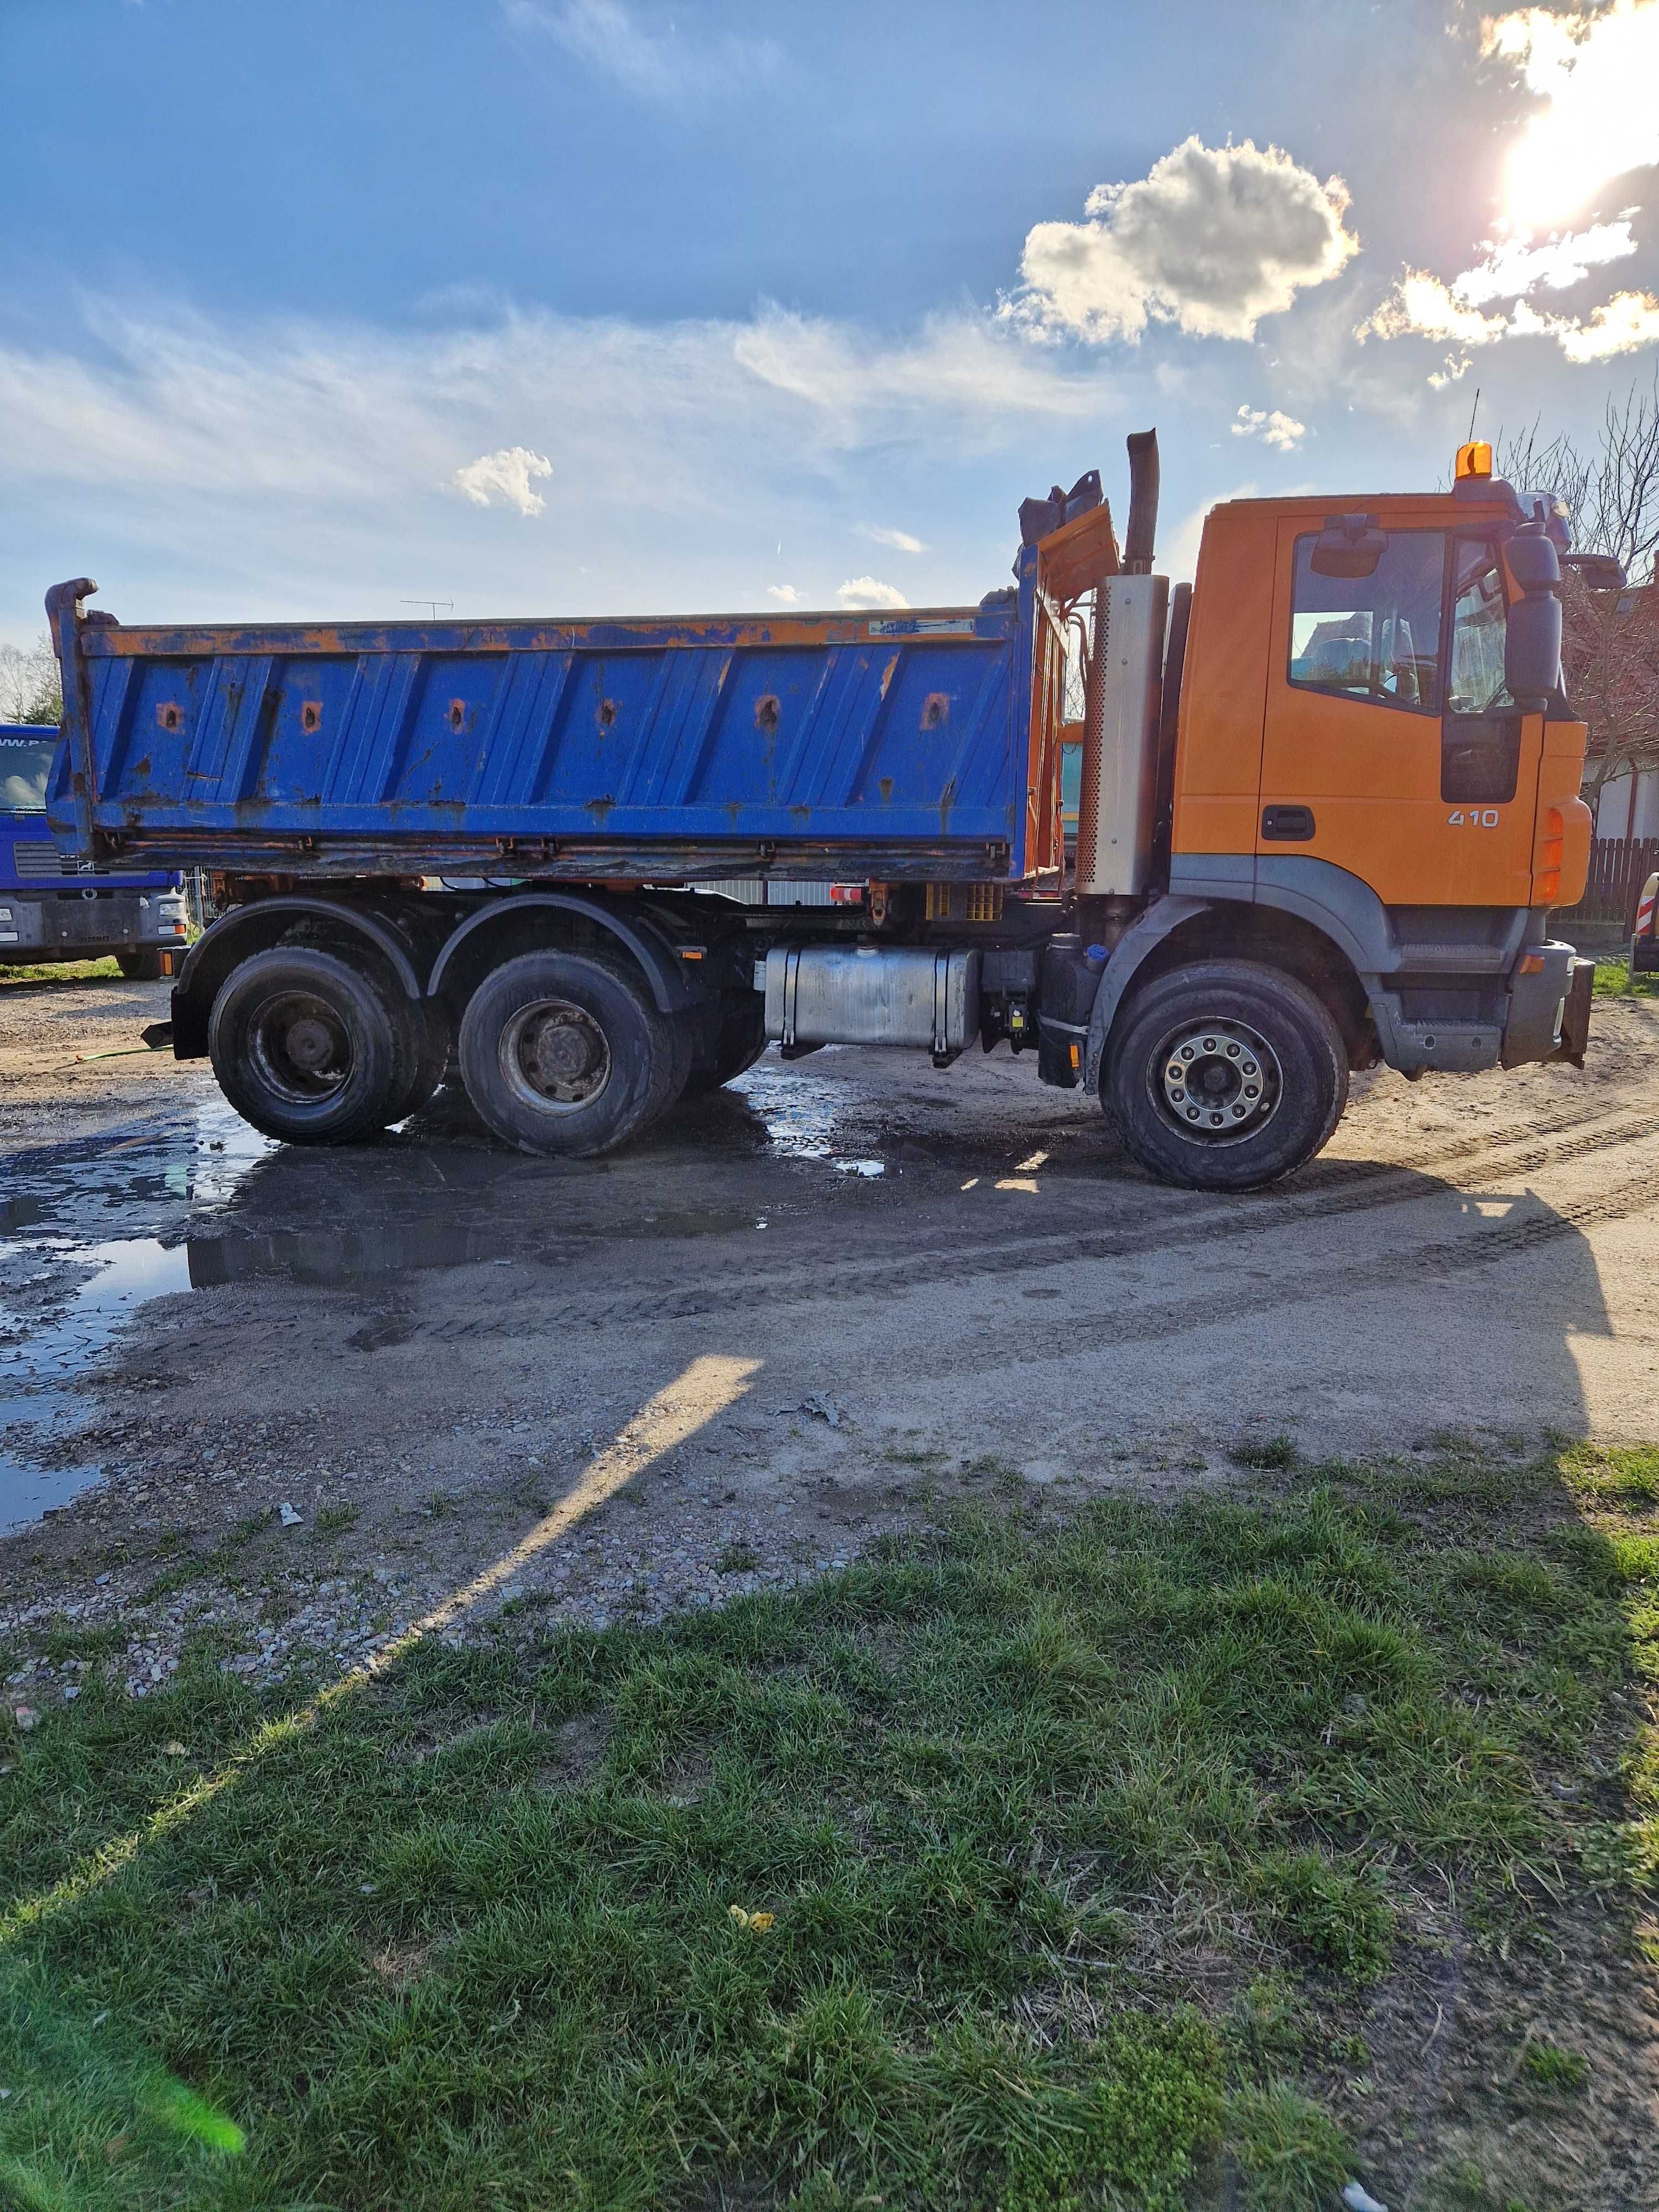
(921, 1273)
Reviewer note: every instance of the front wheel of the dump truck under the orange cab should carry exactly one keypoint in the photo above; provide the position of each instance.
(1227, 1076)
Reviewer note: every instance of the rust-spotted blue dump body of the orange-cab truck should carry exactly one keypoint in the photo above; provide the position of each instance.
(877, 744)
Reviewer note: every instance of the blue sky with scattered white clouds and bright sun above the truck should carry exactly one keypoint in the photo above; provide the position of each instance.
(561, 306)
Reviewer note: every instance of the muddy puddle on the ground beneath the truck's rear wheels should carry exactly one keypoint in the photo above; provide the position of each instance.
(196, 1198)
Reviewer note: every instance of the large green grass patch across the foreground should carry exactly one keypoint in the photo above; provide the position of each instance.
(1078, 1844)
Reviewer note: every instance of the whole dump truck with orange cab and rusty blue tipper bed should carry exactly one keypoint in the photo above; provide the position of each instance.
(1328, 802)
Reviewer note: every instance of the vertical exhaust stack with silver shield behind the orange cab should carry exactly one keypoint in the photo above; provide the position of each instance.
(1118, 808)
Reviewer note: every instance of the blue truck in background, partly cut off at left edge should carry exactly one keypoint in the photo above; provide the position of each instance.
(67, 908)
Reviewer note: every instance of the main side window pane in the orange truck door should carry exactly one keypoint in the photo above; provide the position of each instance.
(1377, 636)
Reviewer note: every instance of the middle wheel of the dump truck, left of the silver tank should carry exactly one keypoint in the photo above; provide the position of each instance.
(565, 1054)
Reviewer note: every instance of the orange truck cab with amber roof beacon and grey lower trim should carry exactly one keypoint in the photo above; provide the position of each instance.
(1373, 780)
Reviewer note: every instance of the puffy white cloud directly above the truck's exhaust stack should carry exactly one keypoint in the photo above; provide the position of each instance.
(1211, 240)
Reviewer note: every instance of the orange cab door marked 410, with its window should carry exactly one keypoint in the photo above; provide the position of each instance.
(1390, 747)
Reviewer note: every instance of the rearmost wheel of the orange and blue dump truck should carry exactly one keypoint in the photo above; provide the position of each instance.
(306, 1047)
